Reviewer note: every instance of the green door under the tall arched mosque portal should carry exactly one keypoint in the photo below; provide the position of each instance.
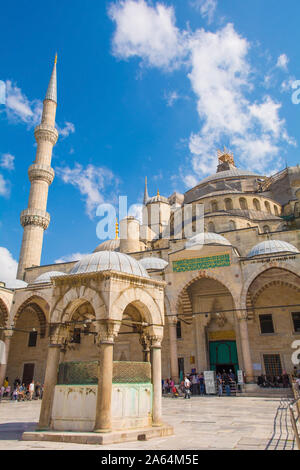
(223, 356)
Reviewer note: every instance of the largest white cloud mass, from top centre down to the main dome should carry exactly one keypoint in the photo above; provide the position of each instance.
(222, 80)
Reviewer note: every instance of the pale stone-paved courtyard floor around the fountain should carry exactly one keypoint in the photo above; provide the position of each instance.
(199, 423)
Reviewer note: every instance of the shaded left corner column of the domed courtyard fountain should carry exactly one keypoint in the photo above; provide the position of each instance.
(49, 385)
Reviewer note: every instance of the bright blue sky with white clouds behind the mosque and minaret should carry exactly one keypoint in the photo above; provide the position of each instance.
(144, 88)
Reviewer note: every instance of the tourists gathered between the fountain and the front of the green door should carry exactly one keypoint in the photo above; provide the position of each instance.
(194, 384)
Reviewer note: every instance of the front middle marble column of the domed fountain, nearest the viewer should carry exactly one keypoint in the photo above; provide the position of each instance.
(107, 334)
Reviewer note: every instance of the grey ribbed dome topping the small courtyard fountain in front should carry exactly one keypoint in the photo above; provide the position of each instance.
(109, 261)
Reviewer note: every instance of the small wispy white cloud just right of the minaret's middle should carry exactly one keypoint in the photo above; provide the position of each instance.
(91, 181)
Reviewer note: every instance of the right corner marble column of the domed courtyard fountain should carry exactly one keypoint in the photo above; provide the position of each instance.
(156, 380)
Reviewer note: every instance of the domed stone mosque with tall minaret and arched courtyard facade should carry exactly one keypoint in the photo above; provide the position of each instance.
(227, 297)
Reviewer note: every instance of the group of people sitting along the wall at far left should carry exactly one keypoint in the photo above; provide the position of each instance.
(20, 391)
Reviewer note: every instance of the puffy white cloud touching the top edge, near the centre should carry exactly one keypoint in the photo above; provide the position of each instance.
(147, 32)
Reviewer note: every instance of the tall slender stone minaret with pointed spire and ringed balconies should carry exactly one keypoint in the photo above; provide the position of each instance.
(35, 219)
